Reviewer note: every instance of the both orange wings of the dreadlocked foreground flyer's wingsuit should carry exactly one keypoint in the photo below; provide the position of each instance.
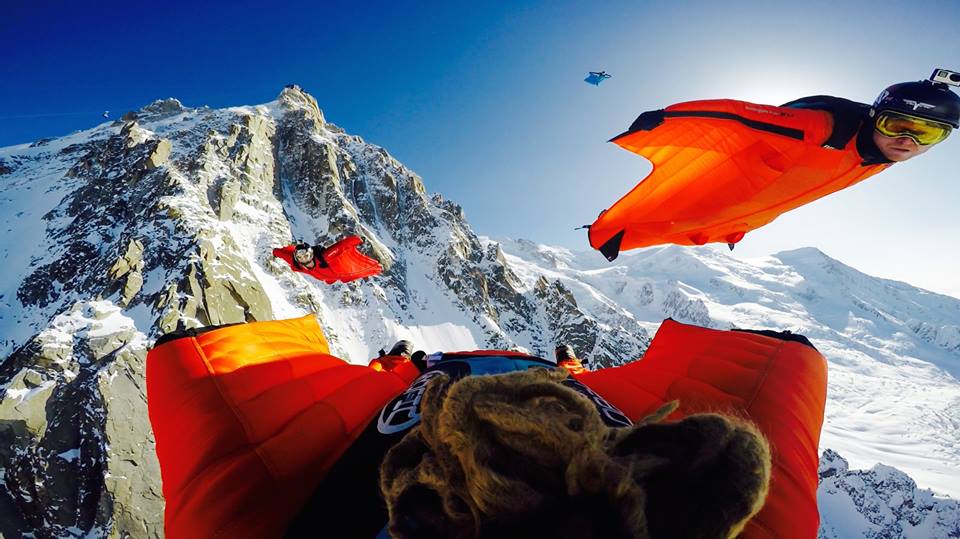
(248, 418)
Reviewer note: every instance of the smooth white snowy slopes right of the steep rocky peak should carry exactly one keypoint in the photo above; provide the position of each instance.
(893, 394)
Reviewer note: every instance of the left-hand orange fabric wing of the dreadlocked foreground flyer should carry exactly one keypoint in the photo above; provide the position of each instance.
(248, 419)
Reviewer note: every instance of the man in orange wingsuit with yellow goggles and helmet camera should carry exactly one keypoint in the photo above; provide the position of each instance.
(722, 168)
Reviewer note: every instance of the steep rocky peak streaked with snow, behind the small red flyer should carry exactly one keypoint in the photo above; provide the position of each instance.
(165, 220)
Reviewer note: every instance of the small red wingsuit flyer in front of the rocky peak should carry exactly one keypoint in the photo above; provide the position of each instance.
(339, 262)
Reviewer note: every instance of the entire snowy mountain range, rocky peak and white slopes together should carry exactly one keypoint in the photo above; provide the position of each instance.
(165, 219)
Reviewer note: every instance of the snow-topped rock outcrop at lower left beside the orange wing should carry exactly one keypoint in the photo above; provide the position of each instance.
(76, 455)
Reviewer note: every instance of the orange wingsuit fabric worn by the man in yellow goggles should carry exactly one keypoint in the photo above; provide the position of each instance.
(722, 168)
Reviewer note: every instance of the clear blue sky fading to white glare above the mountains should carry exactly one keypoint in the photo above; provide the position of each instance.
(486, 100)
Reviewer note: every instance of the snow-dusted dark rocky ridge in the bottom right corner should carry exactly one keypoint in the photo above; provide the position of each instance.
(880, 503)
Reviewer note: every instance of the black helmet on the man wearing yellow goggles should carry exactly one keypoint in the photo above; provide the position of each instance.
(925, 98)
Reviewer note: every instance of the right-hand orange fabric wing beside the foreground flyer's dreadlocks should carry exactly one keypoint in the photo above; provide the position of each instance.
(778, 384)
